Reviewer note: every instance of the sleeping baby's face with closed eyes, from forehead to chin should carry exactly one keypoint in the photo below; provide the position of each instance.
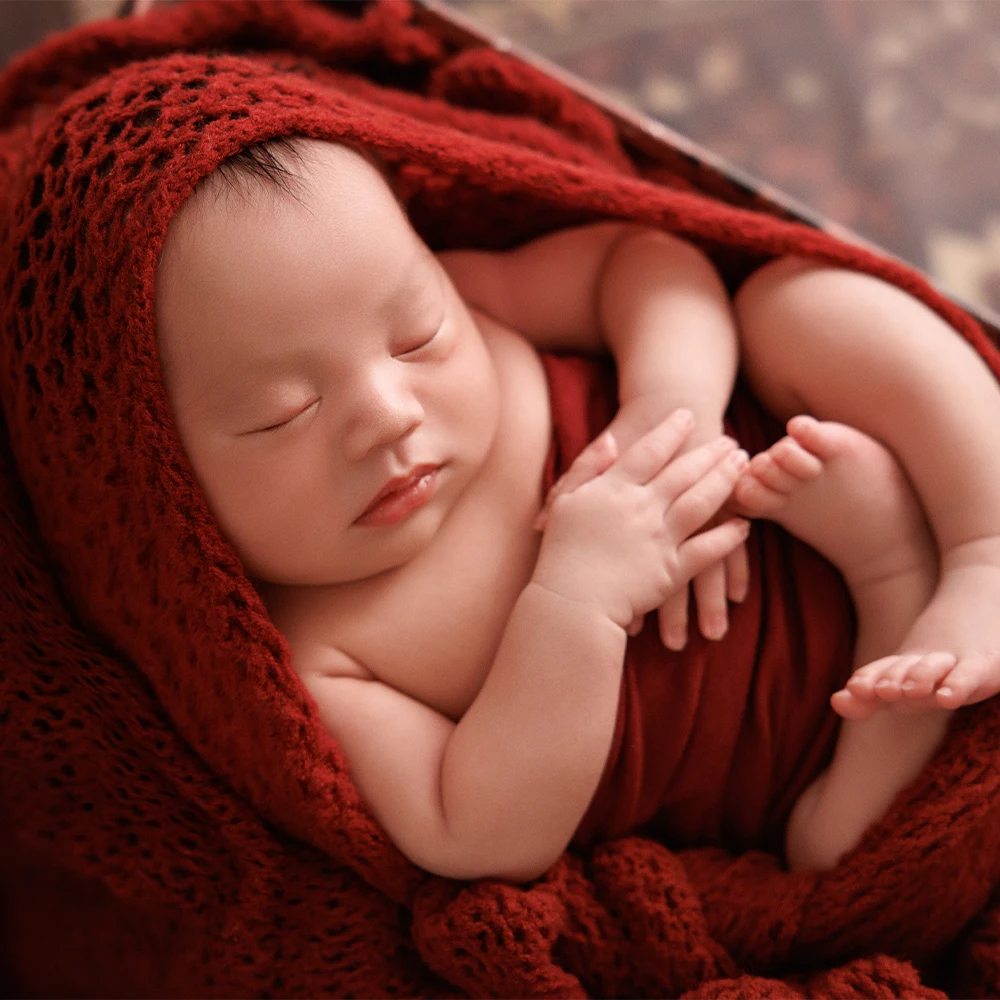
(316, 355)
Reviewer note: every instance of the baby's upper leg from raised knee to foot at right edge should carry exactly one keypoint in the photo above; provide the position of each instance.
(845, 346)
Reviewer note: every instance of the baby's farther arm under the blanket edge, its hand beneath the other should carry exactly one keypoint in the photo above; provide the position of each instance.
(659, 306)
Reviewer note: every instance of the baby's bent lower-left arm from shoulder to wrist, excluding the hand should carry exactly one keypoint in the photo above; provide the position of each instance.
(499, 793)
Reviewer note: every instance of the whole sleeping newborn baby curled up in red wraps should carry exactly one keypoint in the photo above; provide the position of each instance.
(370, 424)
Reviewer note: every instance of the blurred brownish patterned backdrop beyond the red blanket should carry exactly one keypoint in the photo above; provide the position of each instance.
(883, 115)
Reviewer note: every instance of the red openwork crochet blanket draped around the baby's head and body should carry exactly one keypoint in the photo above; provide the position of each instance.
(173, 818)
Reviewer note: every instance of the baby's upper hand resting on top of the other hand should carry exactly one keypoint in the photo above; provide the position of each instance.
(623, 540)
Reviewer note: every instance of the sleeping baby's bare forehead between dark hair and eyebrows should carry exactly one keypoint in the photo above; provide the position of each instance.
(239, 273)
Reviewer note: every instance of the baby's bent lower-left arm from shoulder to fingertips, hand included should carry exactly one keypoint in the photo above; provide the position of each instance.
(500, 792)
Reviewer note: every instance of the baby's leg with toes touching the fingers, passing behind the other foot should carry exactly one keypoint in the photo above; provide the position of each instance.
(844, 494)
